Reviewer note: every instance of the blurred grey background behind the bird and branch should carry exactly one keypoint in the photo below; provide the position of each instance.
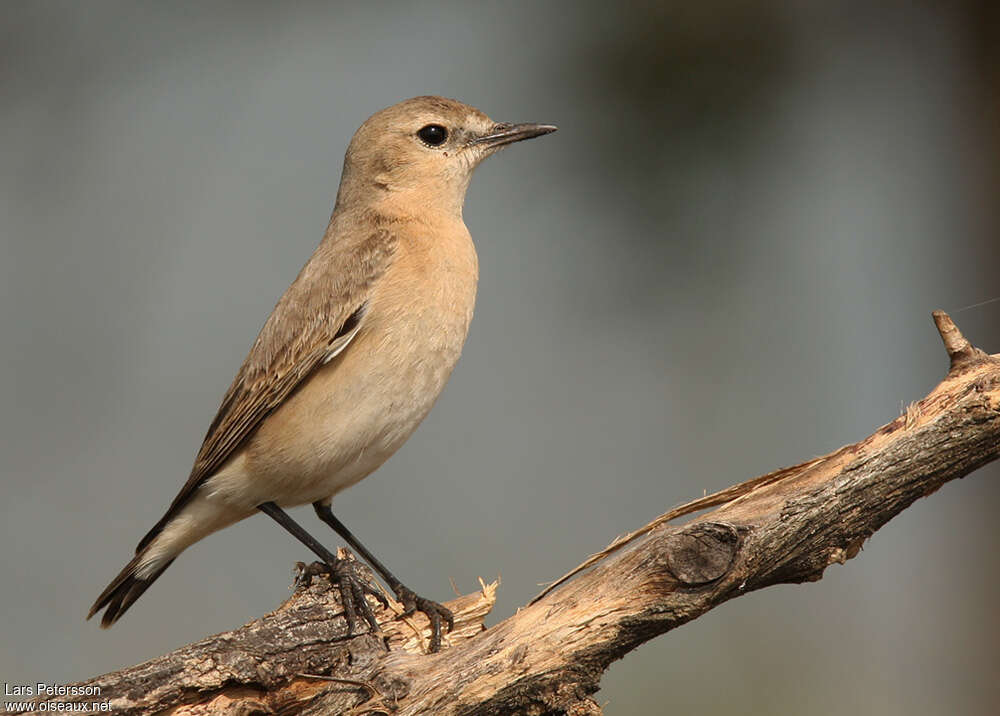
(723, 263)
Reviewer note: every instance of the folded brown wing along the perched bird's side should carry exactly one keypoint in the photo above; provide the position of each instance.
(324, 306)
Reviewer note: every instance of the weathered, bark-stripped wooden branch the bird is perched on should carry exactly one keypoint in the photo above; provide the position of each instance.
(787, 526)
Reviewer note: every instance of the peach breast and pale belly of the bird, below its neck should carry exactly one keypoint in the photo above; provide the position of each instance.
(353, 413)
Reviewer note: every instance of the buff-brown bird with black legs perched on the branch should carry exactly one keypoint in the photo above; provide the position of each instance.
(351, 359)
